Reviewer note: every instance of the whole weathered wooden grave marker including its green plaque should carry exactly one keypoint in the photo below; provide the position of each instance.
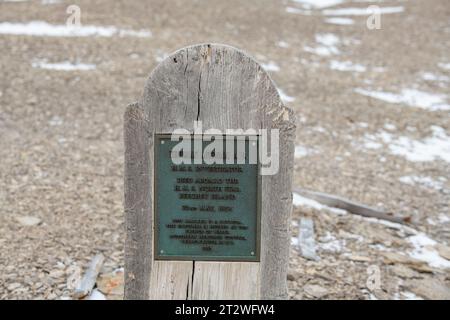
(206, 231)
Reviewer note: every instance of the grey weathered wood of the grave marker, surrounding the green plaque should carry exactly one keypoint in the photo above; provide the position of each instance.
(225, 89)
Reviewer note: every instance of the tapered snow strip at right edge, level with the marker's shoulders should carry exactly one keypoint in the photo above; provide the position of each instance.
(410, 97)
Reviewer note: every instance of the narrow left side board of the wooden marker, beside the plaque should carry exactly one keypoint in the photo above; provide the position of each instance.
(138, 203)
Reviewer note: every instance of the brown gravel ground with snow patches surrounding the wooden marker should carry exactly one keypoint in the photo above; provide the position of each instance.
(373, 126)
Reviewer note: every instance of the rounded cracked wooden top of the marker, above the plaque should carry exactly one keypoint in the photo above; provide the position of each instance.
(217, 84)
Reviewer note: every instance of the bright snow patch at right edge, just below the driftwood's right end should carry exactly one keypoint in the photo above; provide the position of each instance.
(424, 251)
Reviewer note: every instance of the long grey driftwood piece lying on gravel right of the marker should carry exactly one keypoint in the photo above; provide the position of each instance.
(350, 206)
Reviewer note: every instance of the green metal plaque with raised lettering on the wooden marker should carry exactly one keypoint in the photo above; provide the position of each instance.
(207, 211)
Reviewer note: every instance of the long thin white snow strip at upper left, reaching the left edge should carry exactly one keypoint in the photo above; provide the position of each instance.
(42, 28)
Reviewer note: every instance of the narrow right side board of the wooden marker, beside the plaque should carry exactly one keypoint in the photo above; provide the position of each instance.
(277, 208)
